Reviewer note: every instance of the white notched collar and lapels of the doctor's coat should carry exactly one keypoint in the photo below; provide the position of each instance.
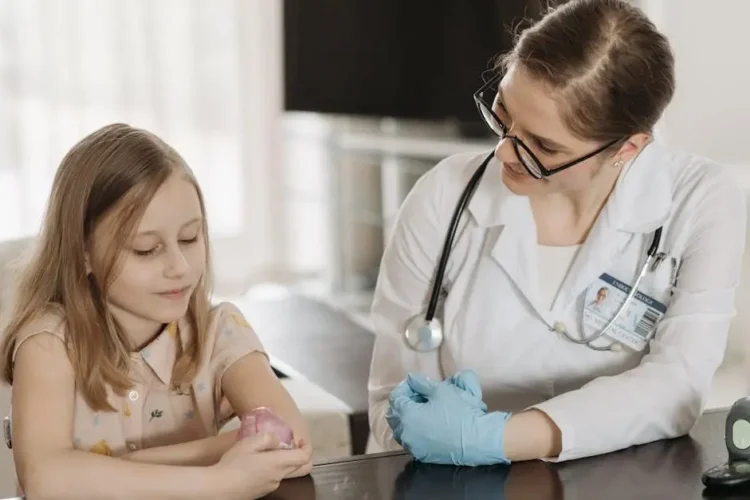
(640, 203)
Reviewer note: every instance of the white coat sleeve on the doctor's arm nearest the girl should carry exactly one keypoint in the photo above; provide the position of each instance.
(402, 291)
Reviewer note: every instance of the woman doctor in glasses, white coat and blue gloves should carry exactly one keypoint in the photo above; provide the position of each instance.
(577, 196)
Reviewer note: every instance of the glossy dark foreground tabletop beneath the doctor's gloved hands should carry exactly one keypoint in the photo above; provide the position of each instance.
(665, 470)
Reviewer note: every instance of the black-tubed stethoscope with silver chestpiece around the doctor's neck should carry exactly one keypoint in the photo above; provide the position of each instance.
(424, 333)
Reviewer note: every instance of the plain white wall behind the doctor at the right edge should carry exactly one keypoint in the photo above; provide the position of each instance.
(709, 115)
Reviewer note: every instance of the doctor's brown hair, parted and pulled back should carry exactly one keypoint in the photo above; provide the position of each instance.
(611, 71)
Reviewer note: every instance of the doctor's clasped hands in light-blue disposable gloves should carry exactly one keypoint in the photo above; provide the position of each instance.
(446, 422)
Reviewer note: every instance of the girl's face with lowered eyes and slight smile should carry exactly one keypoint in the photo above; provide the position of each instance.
(161, 266)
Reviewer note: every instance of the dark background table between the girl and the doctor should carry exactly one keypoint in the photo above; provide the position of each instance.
(310, 339)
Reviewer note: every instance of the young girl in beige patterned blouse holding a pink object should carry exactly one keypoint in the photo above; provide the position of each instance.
(122, 373)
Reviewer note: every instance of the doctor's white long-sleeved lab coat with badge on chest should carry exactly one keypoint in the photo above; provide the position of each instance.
(494, 322)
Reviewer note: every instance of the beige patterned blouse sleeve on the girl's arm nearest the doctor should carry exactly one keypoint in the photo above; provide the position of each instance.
(234, 339)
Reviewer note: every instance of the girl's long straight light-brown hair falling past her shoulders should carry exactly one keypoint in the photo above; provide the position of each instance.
(113, 172)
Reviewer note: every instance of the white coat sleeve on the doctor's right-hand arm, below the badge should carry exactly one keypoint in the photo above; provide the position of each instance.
(663, 396)
